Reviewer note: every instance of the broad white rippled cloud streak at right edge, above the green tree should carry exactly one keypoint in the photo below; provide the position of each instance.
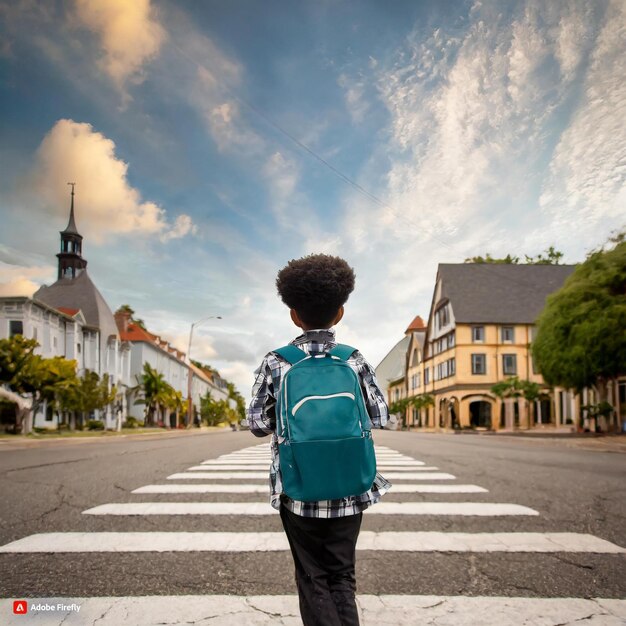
(586, 186)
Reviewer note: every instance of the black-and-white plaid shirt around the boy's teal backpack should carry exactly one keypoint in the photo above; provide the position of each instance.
(262, 421)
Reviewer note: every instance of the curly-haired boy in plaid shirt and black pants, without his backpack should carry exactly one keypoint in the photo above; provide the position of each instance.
(322, 535)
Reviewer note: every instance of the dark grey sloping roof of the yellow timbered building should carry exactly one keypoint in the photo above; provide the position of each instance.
(500, 293)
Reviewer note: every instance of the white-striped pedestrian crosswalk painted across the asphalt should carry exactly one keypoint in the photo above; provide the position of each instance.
(234, 486)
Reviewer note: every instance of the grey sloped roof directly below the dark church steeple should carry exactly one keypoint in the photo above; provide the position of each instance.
(81, 293)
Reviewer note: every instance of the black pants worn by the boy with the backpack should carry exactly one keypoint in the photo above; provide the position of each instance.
(324, 555)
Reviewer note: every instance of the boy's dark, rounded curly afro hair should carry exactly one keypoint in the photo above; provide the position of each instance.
(316, 286)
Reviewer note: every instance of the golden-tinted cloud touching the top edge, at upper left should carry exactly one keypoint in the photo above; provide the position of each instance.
(129, 33)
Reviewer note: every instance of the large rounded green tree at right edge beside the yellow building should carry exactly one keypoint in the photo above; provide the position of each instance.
(580, 341)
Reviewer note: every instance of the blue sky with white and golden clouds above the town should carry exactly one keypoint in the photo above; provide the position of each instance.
(211, 142)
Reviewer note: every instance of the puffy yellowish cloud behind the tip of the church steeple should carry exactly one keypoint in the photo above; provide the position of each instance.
(106, 203)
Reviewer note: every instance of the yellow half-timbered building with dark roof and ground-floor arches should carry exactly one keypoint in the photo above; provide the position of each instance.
(479, 332)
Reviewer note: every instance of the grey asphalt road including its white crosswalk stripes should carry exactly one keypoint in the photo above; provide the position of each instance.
(460, 555)
